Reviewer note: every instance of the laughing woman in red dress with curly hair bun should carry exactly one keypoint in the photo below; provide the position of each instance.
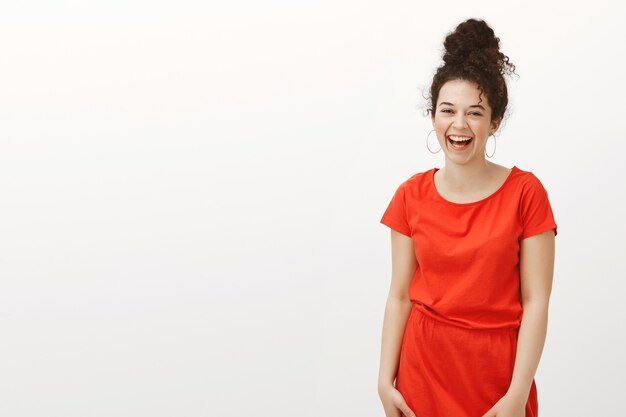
(472, 257)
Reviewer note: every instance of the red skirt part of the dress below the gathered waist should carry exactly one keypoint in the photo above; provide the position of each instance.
(451, 371)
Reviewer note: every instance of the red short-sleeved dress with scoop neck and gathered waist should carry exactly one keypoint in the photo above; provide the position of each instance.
(460, 341)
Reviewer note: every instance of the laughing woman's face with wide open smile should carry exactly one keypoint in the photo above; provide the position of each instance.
(459, 113)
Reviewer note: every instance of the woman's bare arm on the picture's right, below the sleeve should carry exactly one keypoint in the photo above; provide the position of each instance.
(536, 274)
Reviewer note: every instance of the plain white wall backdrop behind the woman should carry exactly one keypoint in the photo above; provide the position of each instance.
(191, 195)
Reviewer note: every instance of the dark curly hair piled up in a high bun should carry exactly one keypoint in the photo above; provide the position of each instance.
(472, 53)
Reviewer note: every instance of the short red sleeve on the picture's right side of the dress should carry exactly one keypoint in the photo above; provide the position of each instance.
(535, 210)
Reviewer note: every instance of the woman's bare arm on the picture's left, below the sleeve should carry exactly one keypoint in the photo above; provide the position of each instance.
(398, 307)
